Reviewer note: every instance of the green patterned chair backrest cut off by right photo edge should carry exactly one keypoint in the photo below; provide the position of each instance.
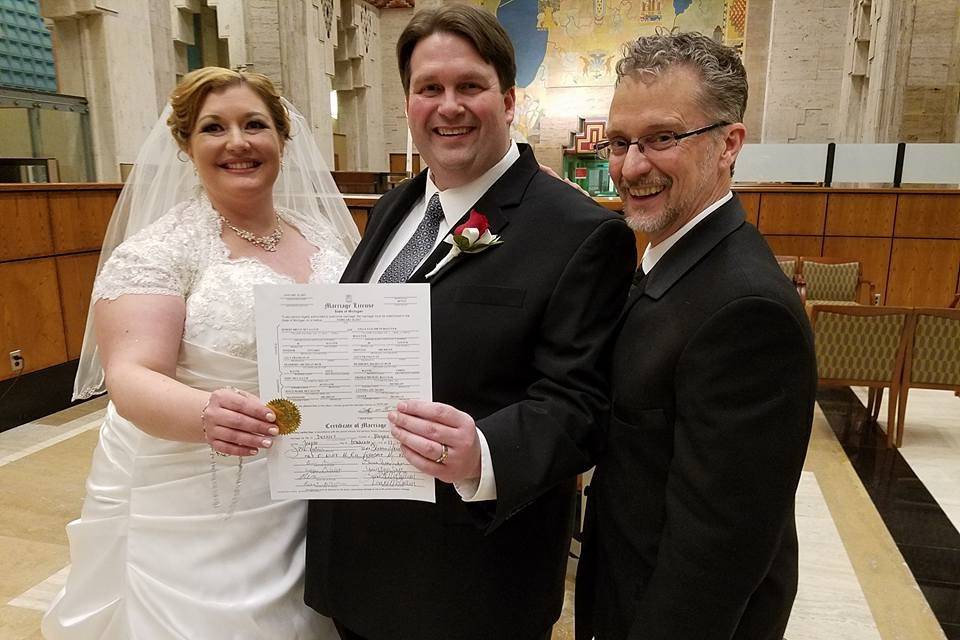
(936, 351)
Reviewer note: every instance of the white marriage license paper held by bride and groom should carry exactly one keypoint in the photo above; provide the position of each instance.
(345, 354)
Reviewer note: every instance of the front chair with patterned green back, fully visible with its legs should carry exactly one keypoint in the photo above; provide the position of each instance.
(863, 346)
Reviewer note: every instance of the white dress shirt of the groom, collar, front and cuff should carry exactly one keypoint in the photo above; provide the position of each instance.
(456, 202)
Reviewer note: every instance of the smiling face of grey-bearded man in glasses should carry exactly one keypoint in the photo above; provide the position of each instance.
(663, 190)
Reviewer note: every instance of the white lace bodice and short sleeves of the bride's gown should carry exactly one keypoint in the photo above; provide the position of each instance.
(182, 254)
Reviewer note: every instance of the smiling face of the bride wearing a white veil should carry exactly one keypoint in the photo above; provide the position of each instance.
(235, 146)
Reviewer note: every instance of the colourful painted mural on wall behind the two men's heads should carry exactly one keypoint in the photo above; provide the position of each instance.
(574, 44)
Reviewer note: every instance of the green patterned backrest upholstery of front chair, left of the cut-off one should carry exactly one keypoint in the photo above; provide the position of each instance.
(857, 347)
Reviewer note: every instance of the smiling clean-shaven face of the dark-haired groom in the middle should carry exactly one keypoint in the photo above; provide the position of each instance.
(459, 117)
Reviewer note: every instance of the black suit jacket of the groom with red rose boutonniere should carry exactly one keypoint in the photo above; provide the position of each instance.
(519, 335)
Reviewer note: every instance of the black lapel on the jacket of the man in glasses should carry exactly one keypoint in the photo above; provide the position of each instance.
(689, 250)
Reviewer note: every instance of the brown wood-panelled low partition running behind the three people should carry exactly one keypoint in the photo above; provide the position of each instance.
(908, 241)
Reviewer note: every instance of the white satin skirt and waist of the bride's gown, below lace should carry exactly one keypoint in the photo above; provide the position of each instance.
(152, 557)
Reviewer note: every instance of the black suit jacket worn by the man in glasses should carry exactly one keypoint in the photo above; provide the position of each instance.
(690, 529)
